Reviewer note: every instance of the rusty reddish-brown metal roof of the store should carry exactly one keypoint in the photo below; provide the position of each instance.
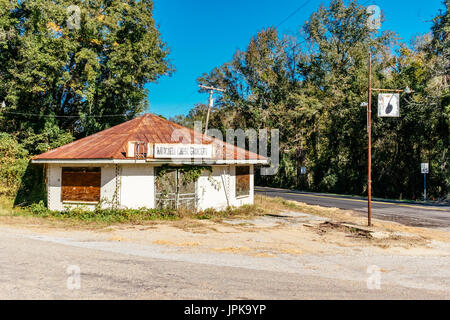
(149, 128)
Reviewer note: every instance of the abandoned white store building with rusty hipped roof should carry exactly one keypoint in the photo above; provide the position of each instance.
(149, 162)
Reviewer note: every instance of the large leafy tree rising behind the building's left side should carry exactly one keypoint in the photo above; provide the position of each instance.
(75, 76)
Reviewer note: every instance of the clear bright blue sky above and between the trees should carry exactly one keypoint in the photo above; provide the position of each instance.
(203, 34)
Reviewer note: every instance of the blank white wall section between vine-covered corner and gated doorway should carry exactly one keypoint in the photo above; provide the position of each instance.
(137, 186)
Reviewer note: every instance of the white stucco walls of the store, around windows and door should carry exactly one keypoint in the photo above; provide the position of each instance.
(137, 187)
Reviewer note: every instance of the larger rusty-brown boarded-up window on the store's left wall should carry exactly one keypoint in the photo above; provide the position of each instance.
(81, 184)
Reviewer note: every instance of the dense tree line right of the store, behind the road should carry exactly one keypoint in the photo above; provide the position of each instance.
(310, 86)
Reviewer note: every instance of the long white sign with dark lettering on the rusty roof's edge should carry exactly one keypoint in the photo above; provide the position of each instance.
(183, 151)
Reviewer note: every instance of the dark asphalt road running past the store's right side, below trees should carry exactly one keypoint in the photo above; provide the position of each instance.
(406, 213)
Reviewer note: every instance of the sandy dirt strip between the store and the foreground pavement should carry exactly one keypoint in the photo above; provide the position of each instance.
(283, 227)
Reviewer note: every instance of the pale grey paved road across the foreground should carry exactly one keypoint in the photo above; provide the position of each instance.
(39, 266)
